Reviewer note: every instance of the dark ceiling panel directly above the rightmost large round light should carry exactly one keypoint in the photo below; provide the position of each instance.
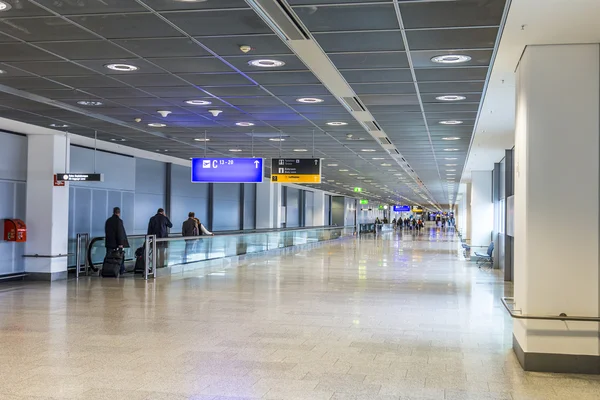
(477, 38)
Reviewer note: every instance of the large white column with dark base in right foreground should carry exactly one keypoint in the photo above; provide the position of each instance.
(556, 170)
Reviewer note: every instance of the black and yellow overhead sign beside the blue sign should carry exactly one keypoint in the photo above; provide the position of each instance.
(296, 170)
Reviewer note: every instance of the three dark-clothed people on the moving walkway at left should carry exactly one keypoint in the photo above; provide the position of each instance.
(159, 225)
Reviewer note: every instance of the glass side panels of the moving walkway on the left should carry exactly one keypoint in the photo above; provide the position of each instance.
(178, 250)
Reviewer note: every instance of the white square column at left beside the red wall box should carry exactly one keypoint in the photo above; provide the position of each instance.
(47, 208)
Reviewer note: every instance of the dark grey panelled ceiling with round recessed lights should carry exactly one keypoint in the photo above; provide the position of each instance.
(54, 54)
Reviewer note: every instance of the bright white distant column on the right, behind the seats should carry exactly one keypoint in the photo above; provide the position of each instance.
(482, 209)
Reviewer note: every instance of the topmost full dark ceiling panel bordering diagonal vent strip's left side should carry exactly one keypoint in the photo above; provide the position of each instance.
(213, 23)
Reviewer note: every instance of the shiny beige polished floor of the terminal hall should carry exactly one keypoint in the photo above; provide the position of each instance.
(394, 317)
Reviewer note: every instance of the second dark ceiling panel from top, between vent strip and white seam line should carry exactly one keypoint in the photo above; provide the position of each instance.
(335, 42)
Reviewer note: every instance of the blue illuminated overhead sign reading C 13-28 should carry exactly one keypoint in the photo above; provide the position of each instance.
(227, 170)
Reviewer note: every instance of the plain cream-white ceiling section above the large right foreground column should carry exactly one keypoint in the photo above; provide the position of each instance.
(529, 22)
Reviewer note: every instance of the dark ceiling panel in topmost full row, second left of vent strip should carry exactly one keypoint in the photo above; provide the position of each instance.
(127, 26)
